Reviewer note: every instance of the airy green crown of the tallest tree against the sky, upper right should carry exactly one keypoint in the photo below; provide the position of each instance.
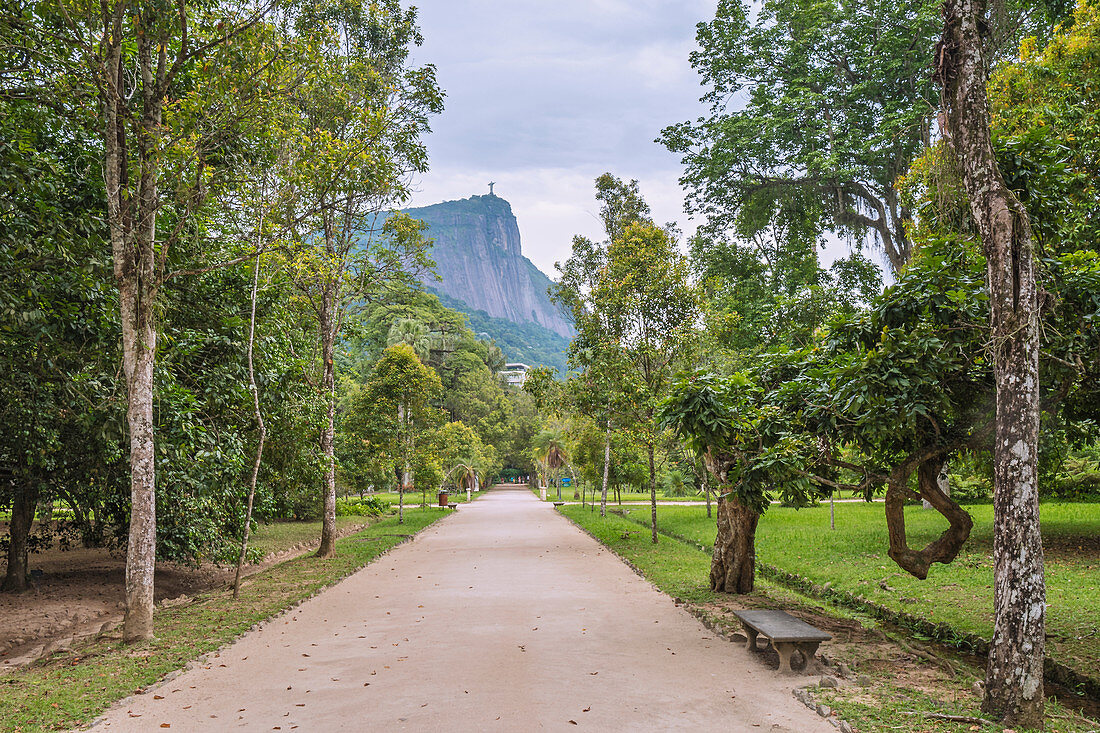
(816, 110)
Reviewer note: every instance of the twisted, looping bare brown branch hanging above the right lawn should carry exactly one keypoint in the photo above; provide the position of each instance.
(944, 549)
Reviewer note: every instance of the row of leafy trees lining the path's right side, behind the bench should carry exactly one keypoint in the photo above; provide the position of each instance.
(879, 123)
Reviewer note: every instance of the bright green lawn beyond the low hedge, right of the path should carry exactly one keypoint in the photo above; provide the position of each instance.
(854, 559)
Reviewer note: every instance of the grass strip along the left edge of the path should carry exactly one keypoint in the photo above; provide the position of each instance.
(72, 688)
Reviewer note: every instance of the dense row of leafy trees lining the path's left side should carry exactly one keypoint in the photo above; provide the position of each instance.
(196, 183)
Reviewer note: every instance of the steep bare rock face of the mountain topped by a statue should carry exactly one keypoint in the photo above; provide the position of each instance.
(478, 255)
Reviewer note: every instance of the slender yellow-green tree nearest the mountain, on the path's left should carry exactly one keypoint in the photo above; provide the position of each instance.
(361, 116)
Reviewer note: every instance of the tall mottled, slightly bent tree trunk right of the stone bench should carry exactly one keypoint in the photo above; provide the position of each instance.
(1015, 675)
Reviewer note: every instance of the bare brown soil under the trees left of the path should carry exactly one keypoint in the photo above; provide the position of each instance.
(80, 594)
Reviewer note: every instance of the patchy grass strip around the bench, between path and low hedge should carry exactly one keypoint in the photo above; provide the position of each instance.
(901, 684)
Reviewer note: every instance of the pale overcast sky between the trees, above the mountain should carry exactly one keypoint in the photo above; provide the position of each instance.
(543, 97)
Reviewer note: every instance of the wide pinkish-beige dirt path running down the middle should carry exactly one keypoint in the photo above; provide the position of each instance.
(503, 617)
